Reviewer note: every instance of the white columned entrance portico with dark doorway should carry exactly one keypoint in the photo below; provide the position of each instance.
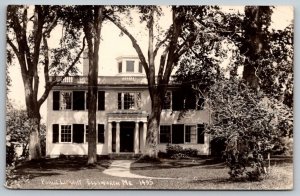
(126, 132)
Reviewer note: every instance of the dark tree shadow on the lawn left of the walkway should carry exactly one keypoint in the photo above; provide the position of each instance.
(56, 166)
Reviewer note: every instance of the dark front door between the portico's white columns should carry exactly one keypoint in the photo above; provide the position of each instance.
(126, 136)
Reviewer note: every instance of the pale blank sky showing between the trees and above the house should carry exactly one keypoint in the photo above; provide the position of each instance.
(114, 45)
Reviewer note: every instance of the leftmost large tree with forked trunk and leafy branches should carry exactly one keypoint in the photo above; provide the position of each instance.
(28, 32)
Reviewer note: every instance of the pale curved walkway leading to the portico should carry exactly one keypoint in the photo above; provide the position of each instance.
(121, 168)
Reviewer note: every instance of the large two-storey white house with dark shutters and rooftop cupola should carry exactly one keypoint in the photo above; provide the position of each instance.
(123, 107)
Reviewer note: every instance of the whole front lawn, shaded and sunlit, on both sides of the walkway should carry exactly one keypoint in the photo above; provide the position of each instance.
(202, 174)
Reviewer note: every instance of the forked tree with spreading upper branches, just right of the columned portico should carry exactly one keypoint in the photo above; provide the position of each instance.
(174, 43)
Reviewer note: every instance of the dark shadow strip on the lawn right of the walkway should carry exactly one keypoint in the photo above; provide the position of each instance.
(169, 163)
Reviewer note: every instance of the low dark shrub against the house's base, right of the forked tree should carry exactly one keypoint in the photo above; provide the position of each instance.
(178, 152)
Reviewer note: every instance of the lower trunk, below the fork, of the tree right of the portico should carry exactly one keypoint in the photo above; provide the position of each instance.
(153, 125)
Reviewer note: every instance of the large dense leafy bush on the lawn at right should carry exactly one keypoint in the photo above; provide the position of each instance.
(251, 125)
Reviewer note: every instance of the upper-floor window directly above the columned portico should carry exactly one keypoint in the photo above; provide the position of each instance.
(129, 101)
